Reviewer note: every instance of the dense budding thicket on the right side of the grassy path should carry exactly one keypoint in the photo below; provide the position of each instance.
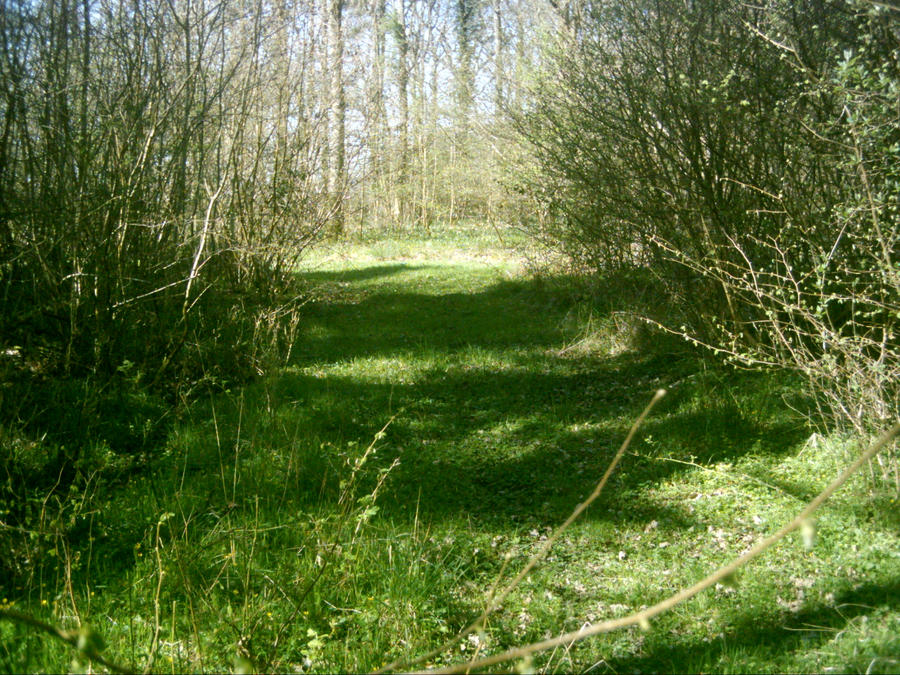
(748, 155)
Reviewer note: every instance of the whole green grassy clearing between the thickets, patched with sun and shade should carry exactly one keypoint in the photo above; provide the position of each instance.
(443, 410)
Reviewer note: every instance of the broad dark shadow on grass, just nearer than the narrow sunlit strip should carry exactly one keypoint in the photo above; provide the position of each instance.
(515, 444)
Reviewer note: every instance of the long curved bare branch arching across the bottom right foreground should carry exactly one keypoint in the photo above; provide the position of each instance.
(643, 617)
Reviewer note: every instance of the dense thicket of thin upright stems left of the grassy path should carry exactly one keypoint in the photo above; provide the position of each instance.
(159, 174)
